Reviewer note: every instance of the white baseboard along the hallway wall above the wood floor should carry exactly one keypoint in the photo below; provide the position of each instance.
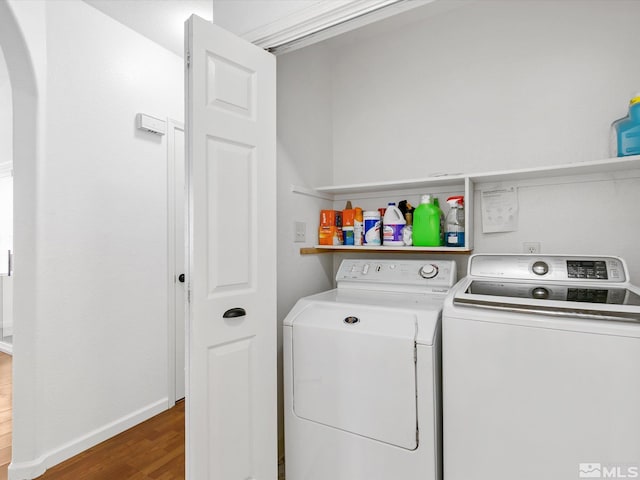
(34, 468)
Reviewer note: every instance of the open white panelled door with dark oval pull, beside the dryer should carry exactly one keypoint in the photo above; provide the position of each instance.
(231, 178)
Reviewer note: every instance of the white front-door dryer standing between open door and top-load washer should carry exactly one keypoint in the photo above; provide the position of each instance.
(362, 374)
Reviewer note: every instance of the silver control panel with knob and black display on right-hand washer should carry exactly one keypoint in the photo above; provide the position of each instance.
(561, 268)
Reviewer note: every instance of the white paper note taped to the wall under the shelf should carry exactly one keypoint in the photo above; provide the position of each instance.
(500, 210)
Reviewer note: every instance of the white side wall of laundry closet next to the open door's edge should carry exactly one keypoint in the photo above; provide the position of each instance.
(304, 159)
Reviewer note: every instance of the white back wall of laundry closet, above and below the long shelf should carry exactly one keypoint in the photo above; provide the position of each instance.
(496, 85)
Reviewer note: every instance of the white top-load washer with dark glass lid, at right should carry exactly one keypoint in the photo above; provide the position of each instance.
(541, 370)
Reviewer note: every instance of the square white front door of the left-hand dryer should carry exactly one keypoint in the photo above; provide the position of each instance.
(354, 369)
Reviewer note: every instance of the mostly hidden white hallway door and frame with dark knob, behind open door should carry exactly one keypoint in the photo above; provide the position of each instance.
(177, 268)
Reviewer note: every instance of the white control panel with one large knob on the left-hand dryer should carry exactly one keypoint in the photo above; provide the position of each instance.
(427, 276)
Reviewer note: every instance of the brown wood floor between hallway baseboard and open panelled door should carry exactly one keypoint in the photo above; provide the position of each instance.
(153, 450)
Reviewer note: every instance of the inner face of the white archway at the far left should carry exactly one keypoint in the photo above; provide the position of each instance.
(26, 148)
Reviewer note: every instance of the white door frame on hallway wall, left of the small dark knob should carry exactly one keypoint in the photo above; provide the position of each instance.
(172, 273)
